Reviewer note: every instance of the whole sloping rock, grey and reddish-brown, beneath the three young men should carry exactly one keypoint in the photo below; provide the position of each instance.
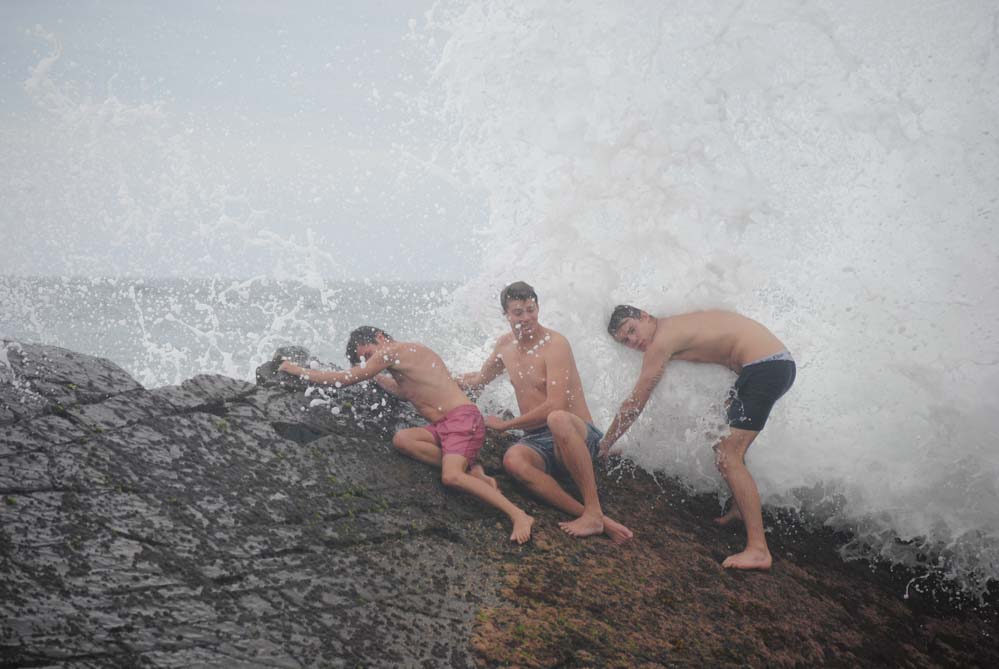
(225, 523)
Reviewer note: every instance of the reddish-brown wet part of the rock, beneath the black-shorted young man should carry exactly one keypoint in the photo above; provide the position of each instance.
(664, 600)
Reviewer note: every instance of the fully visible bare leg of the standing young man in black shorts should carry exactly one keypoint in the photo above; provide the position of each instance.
(730, 460)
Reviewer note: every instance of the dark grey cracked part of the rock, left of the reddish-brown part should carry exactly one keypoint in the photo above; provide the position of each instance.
(220, 523)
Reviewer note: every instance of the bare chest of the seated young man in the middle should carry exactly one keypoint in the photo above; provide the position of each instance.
(535, 376)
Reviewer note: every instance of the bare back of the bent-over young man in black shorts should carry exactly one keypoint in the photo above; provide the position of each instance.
(720, 337)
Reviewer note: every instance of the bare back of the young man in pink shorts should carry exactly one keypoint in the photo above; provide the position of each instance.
(423, 379)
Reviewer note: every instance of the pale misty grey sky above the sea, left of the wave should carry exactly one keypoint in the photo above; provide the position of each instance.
(191, 138)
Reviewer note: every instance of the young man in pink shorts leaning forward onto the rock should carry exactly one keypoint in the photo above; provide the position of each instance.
(456, 431)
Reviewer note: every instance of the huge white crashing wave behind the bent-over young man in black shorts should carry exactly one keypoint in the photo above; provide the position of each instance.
(830, 169)
